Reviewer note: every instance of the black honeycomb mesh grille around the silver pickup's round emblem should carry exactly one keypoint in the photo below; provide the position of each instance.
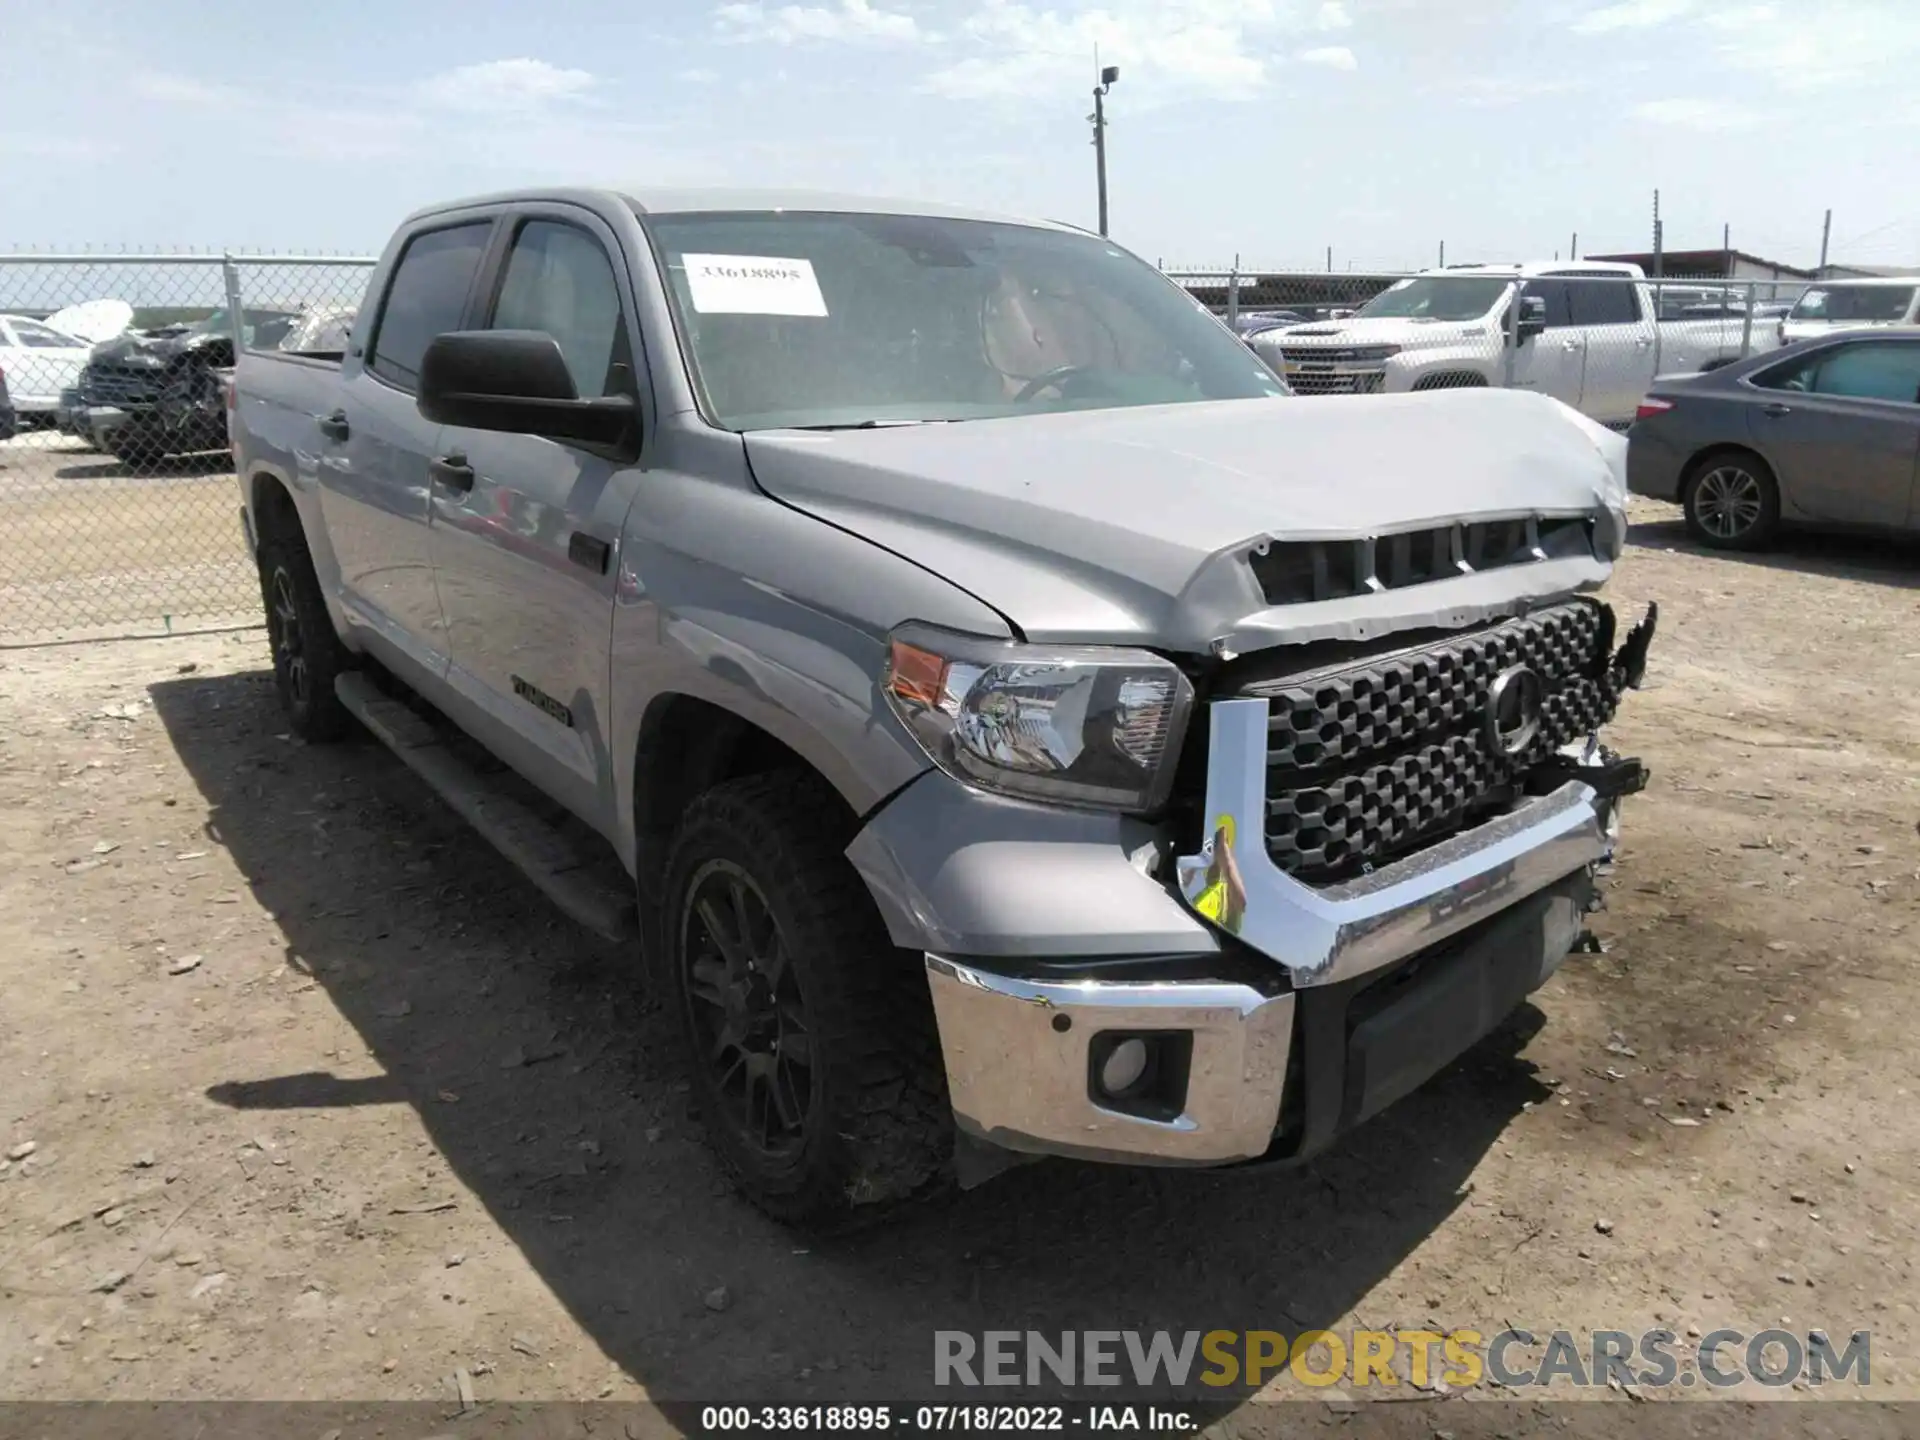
(1378, 756)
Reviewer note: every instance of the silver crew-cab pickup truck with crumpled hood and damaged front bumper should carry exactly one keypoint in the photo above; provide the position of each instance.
(1022, 727)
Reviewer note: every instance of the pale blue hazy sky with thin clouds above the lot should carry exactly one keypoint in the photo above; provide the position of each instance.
(1259, 128)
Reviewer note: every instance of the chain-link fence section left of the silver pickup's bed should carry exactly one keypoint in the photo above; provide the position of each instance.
(118, 502)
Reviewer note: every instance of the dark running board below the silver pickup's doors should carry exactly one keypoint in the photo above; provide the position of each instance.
(573, 873)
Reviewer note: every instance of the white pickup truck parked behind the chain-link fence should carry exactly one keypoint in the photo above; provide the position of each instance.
(1585, 333)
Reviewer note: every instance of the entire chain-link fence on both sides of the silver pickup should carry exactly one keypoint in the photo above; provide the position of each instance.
(120, 512)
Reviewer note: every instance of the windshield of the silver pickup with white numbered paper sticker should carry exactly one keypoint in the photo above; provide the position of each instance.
(815, 320)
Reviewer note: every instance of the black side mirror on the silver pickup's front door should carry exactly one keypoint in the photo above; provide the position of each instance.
(516, 381)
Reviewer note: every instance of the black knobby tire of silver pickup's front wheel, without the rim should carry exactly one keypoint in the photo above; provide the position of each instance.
(878, 1126)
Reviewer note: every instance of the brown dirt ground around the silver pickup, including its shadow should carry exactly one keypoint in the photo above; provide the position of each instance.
(325, 1103)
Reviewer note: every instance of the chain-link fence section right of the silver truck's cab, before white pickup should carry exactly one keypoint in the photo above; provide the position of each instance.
(1587, 337)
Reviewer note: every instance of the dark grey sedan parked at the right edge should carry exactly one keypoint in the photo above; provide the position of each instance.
(1825, 433)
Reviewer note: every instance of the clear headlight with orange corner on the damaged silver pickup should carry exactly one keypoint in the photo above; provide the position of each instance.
(1070, 725)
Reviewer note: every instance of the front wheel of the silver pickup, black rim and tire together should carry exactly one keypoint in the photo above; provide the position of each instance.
(809, 1038)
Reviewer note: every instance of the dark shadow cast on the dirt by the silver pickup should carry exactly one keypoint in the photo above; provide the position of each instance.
(575, 1136)
